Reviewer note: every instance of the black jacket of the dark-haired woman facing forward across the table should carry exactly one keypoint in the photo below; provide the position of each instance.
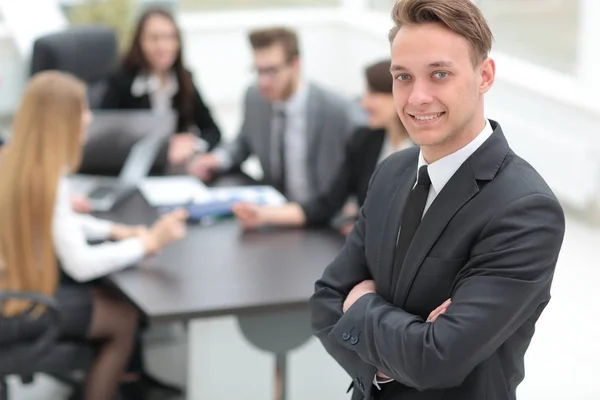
(118, 96)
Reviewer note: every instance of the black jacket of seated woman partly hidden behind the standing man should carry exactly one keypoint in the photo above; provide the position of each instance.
(352, 178)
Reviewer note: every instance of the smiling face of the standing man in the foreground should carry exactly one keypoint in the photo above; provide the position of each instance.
(437, 90)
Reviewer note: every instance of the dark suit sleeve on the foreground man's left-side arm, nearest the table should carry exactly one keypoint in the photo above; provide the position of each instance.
(347, 270)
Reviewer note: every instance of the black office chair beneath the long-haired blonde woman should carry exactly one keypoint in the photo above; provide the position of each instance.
(45, 354)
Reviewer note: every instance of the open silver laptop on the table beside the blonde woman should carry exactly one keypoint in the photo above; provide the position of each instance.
(105, 192)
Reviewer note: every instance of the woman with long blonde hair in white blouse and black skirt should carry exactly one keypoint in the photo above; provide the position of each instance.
(43, 242)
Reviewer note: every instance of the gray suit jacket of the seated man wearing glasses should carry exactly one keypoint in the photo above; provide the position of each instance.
(329, 125)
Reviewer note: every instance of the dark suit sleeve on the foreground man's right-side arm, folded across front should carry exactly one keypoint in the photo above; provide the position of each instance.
(506, 282)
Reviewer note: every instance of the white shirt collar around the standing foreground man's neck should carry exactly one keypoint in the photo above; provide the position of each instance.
(442, 170)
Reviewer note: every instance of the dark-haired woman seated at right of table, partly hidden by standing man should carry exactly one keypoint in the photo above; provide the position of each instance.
(384, 135)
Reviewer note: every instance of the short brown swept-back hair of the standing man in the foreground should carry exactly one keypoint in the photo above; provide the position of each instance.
(460, 16)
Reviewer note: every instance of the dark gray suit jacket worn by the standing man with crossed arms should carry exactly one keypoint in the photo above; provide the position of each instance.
(489, 241)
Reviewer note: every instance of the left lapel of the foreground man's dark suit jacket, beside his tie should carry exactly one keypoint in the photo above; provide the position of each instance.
(406, 180)
